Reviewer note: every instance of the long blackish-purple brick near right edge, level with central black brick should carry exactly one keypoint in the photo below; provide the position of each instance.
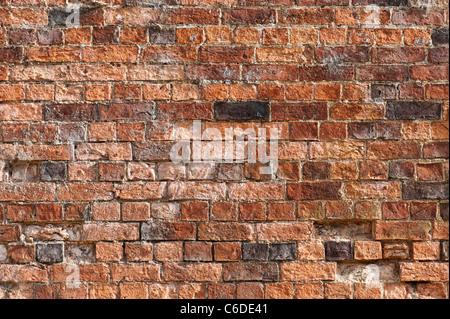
(413, 110)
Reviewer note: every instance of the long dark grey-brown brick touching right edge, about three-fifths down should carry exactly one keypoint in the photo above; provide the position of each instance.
(417, 190)
